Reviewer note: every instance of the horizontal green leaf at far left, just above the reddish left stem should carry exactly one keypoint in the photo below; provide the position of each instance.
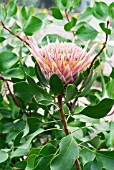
(14, 73)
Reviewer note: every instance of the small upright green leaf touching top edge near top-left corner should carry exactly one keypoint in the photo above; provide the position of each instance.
(12, 8)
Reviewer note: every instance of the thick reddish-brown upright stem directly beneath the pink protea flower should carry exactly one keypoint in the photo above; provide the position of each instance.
(64, 122)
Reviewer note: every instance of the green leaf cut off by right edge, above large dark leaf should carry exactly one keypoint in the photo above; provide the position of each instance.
(110, 88)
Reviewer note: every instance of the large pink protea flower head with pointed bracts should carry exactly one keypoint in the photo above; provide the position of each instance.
(65, 59)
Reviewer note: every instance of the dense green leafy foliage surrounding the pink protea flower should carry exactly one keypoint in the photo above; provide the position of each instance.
(31, 130)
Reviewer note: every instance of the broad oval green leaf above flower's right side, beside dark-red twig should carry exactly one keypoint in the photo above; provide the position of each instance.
(86, 33)
